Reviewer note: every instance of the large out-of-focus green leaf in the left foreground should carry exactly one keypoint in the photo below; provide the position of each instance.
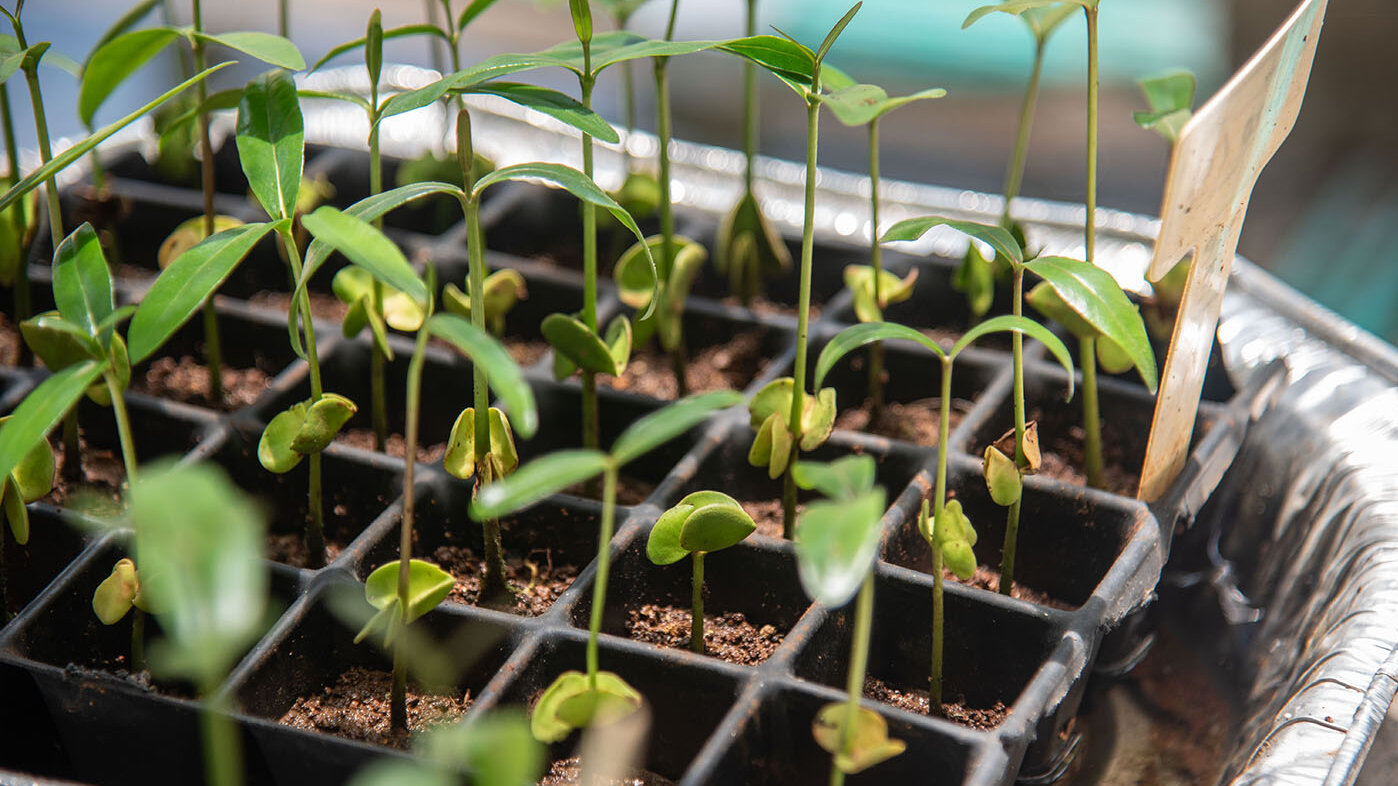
(199, 545)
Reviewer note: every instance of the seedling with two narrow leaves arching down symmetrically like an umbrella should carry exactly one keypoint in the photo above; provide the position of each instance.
(947, 529)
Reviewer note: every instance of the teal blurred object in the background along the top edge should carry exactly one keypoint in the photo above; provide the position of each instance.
(922, 41)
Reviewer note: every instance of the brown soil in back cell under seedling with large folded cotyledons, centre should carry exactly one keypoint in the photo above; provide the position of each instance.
(723, 367)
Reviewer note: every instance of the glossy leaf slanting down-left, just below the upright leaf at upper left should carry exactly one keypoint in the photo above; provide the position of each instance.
(184, 287)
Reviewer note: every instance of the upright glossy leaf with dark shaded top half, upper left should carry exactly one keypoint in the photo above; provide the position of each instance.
(272, 142)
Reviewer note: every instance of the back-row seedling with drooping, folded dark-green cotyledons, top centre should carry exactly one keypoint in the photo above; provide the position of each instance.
(749, 248)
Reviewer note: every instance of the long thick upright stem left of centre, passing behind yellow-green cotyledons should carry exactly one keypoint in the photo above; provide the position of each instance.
(494, 583)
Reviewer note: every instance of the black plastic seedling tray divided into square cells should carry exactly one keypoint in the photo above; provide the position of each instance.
(1098, 555)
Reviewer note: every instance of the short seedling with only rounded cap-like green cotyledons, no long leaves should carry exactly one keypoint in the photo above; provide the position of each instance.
(700, 524)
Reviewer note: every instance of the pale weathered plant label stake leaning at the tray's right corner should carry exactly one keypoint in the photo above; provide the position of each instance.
(1217, 163)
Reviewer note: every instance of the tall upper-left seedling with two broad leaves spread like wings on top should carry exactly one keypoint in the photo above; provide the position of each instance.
(122, 54)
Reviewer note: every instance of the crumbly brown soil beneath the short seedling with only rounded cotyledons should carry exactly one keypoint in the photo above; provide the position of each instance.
(728, 637)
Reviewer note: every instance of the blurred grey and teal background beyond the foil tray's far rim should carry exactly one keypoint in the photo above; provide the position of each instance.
(1322, 216)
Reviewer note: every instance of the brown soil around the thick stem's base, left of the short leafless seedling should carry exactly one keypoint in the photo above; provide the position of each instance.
(538, 580)
